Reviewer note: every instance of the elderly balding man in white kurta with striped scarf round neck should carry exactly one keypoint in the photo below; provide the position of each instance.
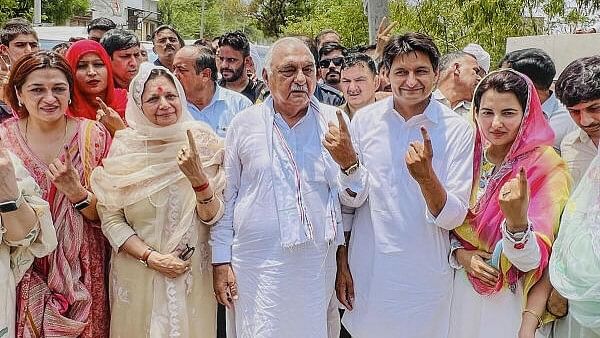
(282, 222)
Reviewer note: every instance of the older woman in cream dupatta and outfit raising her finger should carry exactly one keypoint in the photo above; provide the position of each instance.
(150, 214)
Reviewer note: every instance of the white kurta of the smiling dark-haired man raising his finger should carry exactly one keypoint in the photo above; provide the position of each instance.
(398, 251)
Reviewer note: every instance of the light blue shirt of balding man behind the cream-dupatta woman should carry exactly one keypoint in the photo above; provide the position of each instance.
(225, 104)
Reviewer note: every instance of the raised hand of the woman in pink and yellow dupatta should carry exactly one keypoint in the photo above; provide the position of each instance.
(514, 202)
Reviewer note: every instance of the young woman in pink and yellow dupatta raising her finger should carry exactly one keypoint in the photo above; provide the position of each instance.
(520, 188)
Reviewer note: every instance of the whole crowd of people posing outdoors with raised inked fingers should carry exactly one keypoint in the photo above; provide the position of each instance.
(374, 191)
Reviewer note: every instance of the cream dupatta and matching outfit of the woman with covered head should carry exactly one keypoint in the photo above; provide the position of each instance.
(141, 191)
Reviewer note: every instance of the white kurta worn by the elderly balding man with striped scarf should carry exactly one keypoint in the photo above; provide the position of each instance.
(283, 292)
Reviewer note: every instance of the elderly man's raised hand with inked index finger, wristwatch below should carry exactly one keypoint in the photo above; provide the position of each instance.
(339, 143)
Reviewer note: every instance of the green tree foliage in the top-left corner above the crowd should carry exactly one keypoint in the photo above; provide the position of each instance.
(53, 11)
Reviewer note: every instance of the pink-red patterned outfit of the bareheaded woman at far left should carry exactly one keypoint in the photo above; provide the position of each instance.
(65, 293)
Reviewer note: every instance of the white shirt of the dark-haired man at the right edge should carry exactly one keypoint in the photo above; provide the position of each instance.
(578, 150)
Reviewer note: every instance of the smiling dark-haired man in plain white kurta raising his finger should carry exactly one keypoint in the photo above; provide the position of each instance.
(409, 195)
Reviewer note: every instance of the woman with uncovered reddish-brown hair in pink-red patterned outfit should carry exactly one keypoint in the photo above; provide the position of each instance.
(65, 293)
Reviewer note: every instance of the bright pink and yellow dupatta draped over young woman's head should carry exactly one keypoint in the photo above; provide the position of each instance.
(549, 184)
